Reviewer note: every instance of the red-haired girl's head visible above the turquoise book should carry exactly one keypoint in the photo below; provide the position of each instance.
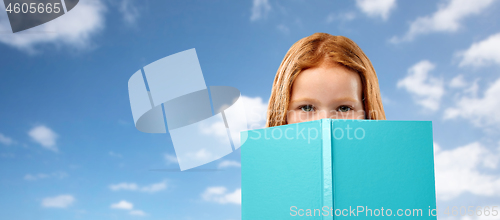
(324, 76)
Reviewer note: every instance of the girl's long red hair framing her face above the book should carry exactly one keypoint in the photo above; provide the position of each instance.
(310, 52)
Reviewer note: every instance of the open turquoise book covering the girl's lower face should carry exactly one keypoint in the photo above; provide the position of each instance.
(339, 169)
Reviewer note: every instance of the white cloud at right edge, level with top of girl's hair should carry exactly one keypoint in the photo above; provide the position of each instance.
(482, 53)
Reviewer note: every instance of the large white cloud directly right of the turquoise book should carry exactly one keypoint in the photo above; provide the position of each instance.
(458, 171)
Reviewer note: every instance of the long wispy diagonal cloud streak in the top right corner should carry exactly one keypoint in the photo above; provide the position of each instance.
(446, 19)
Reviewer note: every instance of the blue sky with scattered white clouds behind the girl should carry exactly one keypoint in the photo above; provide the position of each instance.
(69, 148)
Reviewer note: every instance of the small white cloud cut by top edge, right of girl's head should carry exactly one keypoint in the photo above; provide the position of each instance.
(376, 8)
